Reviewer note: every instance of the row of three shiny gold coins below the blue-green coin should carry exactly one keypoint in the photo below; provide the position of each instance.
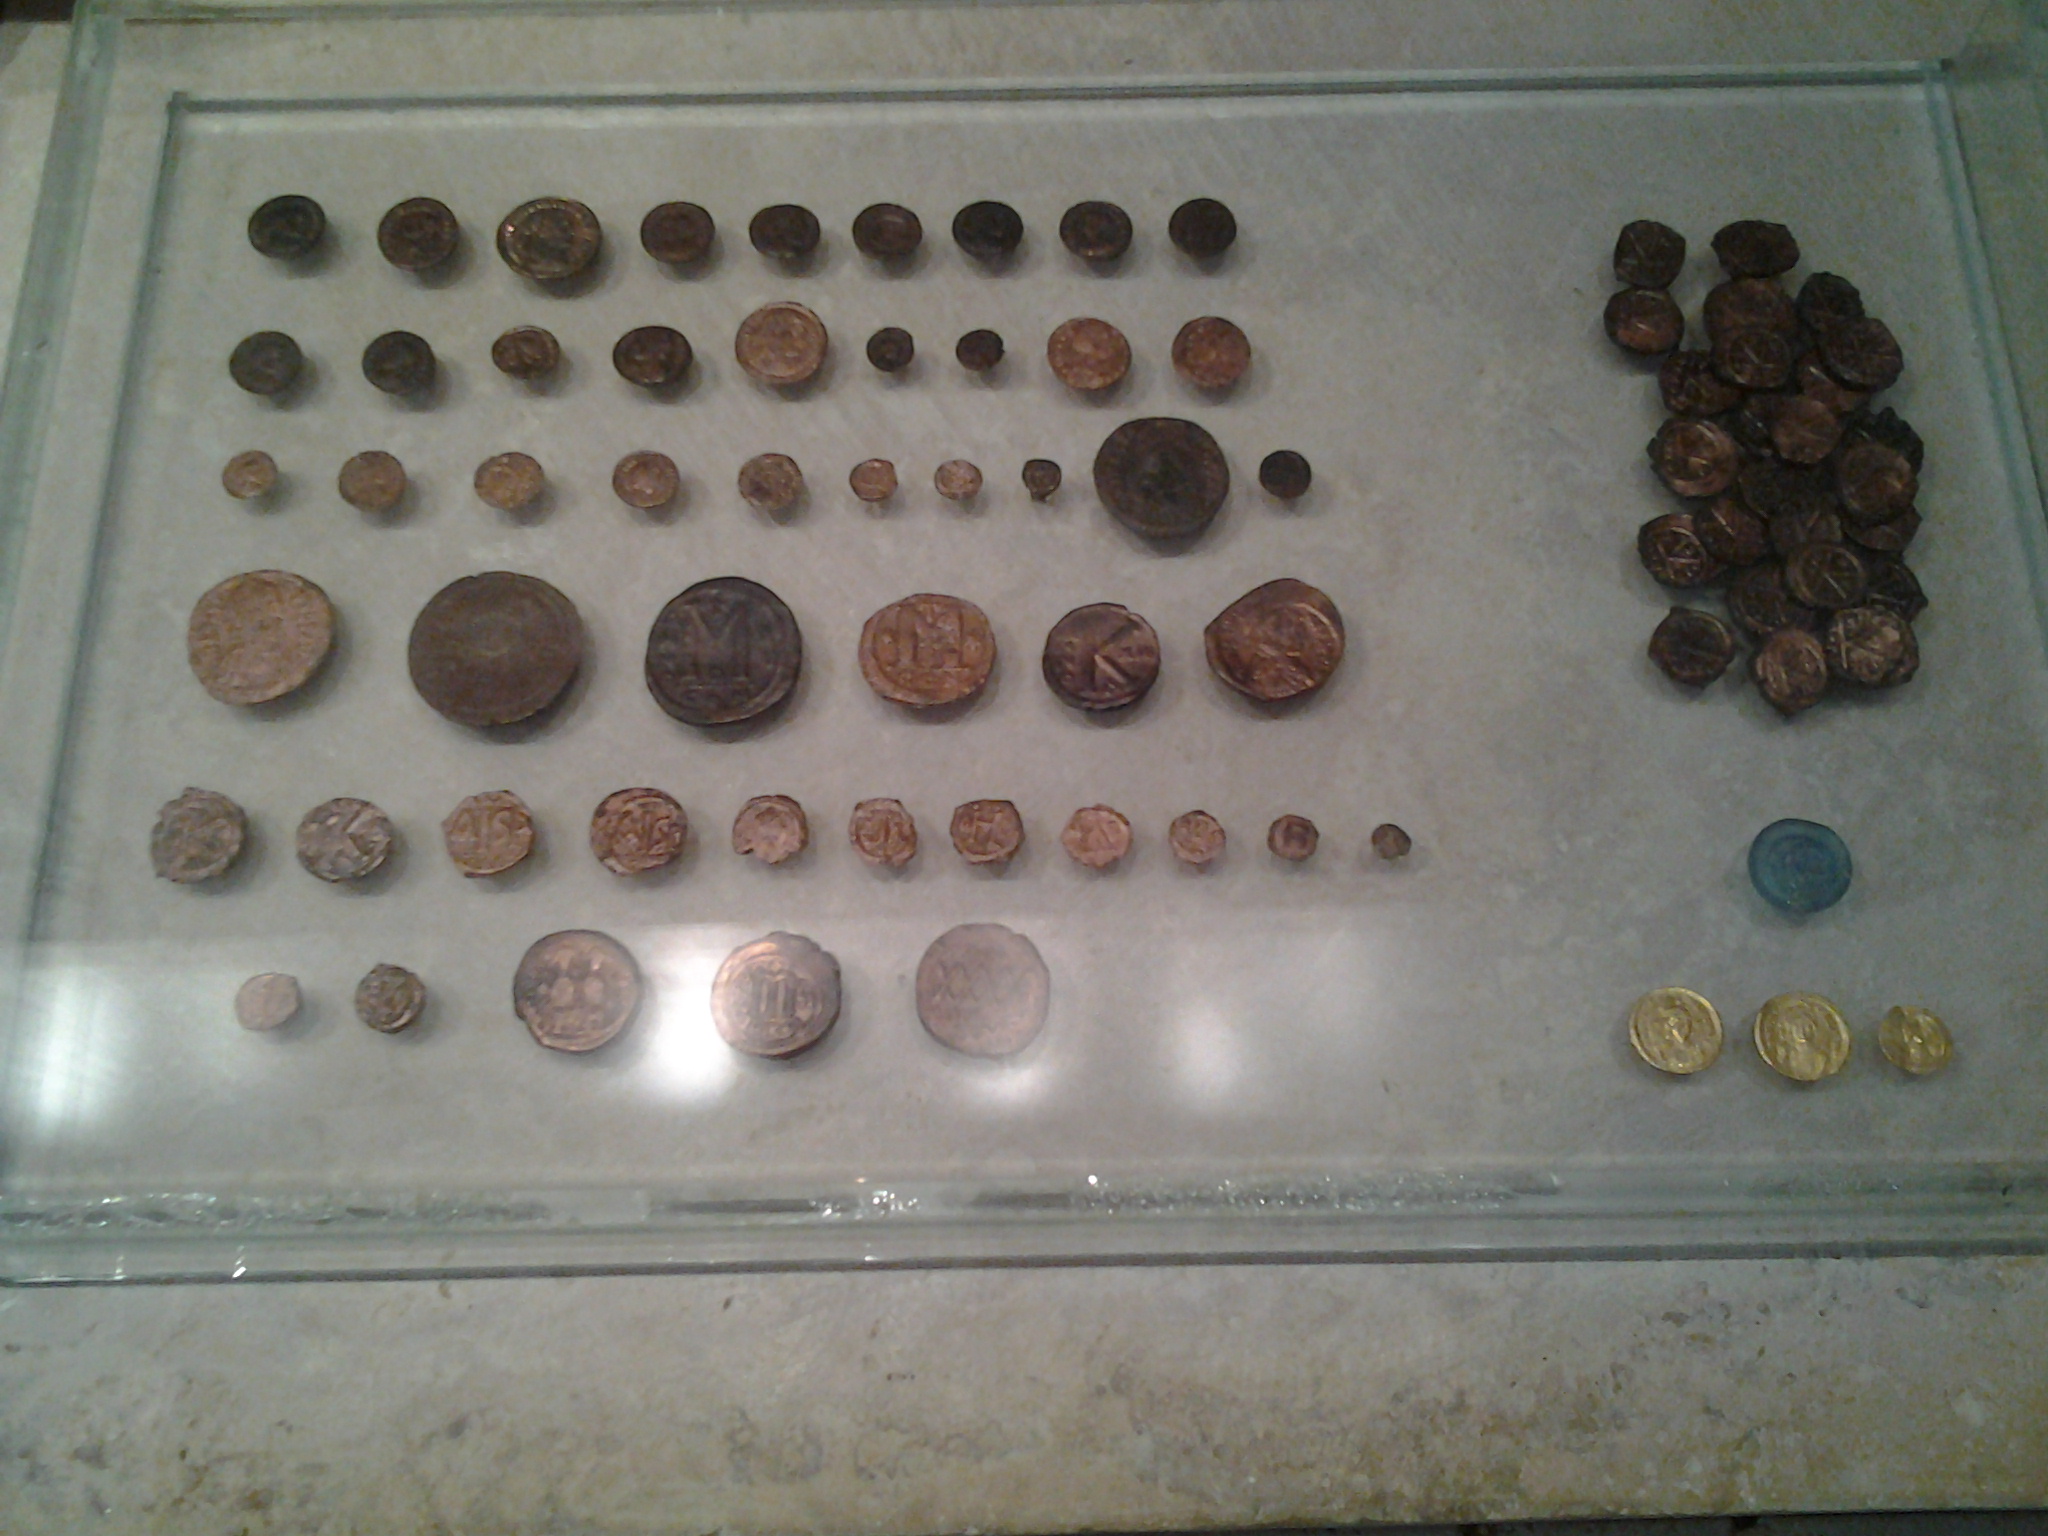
(1799, 1035)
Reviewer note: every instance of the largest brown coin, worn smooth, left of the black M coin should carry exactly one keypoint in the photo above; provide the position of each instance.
(495, 648)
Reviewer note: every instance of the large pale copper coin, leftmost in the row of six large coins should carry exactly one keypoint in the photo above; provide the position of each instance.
(259, 636)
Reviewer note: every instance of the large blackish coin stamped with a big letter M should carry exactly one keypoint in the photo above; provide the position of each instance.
(722, 652)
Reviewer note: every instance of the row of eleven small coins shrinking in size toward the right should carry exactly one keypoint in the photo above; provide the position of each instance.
(200, 837)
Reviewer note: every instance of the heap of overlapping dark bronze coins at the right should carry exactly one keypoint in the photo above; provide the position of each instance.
(1801, 497)
